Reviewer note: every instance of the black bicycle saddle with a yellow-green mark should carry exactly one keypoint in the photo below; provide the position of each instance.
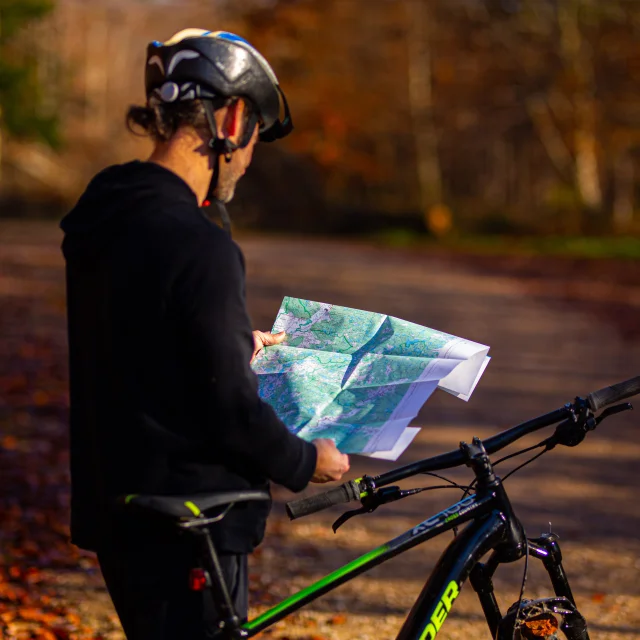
(192, 505)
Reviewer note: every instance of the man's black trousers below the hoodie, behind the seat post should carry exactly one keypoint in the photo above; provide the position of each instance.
(150, 591)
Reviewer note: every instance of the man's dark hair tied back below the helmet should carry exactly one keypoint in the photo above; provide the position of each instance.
(161, 121)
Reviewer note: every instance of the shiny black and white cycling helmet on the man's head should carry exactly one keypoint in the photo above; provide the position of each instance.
(195, 63)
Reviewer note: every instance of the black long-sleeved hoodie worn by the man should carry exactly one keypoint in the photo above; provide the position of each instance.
(163, 400)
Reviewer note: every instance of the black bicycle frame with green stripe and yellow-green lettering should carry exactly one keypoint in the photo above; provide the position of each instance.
(492, 526)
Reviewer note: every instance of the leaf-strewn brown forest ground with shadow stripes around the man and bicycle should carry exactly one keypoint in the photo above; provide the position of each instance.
(557, 328)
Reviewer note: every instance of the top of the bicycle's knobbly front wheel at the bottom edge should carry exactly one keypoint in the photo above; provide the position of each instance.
(543, 619)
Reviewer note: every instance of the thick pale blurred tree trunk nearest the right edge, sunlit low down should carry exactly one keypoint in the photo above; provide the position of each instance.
(578, 59)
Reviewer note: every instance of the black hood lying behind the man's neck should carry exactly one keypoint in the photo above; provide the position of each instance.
(113, 197)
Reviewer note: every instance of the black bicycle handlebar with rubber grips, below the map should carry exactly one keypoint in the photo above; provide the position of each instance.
(351, 491)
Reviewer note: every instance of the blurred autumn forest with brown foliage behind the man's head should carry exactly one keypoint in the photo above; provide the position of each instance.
(503, 117)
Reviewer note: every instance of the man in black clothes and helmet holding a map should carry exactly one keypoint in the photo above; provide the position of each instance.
(163, 400)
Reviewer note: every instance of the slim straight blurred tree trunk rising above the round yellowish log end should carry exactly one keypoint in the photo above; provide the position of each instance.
(421, 103)
